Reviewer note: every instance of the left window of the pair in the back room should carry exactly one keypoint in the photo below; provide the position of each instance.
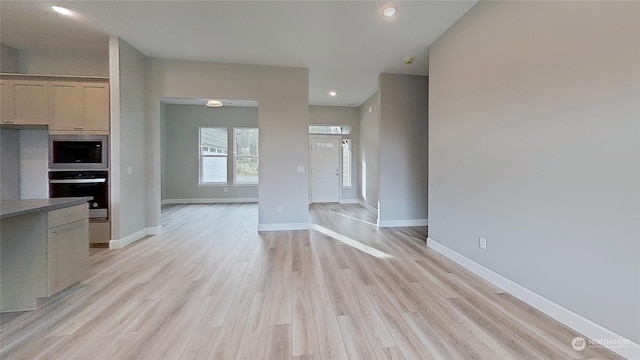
(213, 155)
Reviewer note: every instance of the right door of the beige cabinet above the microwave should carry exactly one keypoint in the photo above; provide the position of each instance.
(96, 106)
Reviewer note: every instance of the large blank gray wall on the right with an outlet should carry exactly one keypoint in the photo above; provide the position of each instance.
(535, 145)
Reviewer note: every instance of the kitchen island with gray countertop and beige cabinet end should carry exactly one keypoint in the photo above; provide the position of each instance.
(44, 249)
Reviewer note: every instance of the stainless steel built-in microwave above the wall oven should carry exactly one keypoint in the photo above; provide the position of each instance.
(71, 152)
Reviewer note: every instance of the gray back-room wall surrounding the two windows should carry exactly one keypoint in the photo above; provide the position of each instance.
(181, 172)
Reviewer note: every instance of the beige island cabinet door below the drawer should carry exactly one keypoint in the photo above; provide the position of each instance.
(67, 255)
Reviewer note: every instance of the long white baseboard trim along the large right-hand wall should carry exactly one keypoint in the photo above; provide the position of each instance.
(563, 315)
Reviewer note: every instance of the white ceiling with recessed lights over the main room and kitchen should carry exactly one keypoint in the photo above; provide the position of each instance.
(344, 44)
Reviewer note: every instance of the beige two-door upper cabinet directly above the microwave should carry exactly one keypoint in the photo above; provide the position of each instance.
(79, 107)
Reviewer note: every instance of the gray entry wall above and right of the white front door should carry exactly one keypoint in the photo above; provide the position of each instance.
(342, 115)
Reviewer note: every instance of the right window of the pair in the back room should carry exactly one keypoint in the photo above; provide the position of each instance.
(246, 164)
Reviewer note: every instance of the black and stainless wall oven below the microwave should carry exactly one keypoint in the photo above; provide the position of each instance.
(83, 183)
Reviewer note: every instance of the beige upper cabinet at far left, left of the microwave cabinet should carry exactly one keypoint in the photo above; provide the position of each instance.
(25, 102)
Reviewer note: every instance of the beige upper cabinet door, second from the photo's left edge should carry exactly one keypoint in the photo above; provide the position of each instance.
(30, 102)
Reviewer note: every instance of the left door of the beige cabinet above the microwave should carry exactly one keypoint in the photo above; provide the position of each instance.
(66, 106)
